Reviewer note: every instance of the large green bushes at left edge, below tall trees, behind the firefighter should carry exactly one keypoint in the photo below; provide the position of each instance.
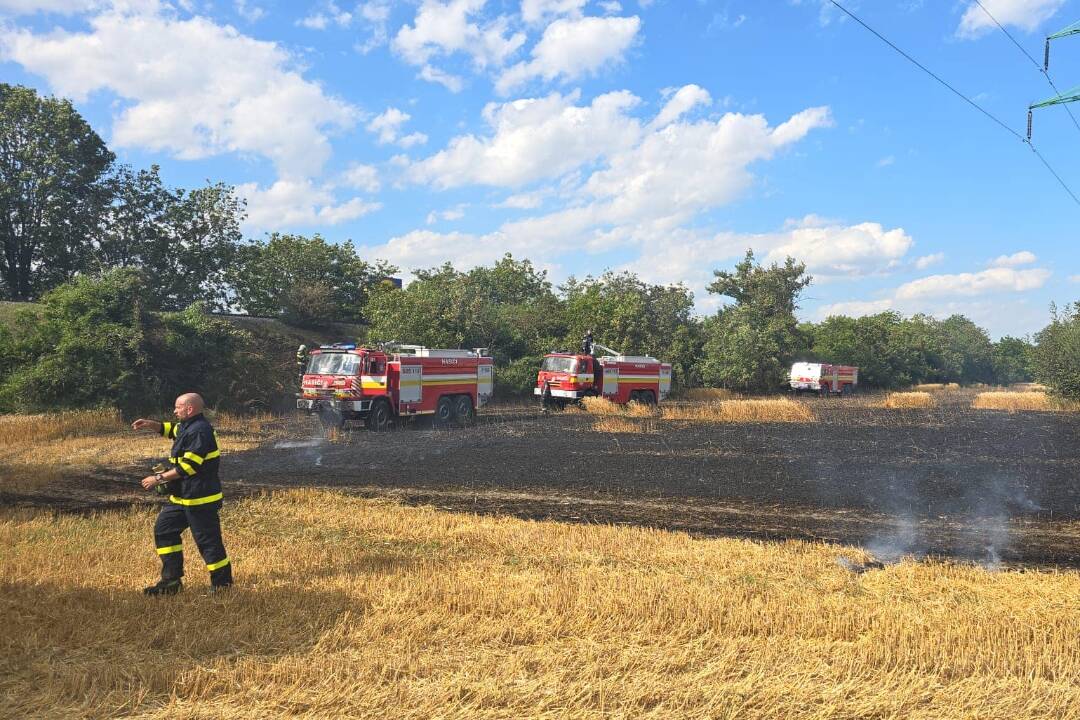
(93, 344)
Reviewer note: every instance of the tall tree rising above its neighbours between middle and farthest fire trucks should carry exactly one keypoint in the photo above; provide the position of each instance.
(750, 346)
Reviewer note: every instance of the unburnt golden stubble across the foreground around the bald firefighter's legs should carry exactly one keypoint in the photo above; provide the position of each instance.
(353, 608)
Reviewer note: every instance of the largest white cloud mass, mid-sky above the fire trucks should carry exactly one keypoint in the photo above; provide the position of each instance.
(628, 185)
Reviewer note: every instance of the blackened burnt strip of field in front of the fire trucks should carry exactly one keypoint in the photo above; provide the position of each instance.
(954, 482)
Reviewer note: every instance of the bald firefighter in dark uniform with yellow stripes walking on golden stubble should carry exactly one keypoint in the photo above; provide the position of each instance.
(195, 497)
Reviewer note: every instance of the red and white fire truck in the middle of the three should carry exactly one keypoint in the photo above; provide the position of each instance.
(569, 377)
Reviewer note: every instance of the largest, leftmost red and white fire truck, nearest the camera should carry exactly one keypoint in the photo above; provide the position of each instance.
(381, 385)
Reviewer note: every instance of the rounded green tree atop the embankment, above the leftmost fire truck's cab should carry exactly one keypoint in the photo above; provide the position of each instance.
(305, 280)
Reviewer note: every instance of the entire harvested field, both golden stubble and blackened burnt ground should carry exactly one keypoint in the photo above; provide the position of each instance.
(354, 602)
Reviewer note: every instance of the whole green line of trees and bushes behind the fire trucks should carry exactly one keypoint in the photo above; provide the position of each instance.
(127, 271)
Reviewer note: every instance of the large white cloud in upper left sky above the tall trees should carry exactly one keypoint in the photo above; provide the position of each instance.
(191, 87)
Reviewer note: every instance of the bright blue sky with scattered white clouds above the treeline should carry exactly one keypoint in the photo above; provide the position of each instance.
(656, 137)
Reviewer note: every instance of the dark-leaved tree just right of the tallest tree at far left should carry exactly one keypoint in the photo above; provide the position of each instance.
(183, 241)
